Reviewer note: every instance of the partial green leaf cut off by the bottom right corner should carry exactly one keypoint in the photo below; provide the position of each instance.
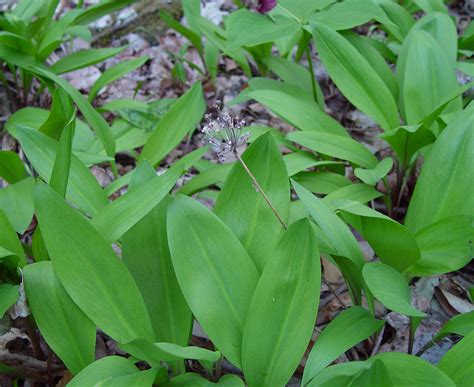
(457, 362)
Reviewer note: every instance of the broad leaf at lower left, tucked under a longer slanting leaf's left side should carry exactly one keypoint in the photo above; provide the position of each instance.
(55, 312)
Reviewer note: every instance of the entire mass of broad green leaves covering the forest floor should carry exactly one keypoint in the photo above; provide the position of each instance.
(145, 265)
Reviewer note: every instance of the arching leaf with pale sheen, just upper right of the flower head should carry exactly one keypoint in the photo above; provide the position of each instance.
(294, 106)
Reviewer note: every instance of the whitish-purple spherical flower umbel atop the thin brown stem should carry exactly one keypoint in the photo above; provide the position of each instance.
(226, 134)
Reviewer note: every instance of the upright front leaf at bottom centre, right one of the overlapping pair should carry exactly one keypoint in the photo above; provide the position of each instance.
(283, 310)
